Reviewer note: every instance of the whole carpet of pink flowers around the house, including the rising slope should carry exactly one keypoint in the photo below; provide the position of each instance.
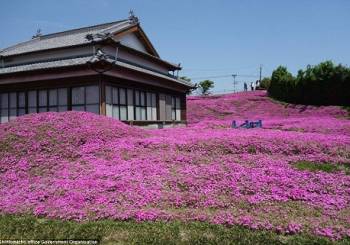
(80, 166)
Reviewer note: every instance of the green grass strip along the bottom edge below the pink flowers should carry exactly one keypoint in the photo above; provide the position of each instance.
(131, 232)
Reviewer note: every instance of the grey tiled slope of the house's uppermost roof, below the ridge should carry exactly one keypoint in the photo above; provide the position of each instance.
(65, 39)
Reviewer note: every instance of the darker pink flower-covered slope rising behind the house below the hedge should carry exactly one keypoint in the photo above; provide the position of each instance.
(253, 105)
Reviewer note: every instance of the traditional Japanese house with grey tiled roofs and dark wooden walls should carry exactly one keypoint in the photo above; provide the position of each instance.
(110, 69)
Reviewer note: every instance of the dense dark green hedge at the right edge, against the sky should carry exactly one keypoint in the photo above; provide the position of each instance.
(323, 84)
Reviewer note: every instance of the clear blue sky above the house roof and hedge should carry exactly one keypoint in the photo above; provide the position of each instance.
(209, 38)
